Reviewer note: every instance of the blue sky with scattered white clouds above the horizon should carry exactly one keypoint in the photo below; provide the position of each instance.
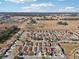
(39, 5)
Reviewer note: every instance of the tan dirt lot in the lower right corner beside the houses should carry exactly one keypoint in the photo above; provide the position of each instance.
(69, 49)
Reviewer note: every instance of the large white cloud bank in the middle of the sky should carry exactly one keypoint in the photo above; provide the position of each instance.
(37, 7)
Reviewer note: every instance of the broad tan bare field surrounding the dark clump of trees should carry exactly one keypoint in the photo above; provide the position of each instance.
(72, 25)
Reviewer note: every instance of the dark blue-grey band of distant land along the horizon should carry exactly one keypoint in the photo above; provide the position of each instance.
(38, 13)
